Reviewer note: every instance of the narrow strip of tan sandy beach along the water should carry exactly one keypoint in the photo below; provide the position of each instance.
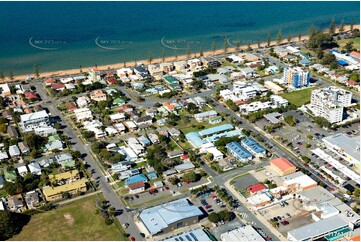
(159, 60)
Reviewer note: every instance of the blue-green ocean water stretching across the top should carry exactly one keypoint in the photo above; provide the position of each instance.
(66, 35)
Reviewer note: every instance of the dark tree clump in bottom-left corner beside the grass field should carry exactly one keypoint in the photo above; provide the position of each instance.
(11, 223)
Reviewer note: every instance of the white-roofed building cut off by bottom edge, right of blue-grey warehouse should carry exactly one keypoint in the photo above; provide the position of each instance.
(245, 233)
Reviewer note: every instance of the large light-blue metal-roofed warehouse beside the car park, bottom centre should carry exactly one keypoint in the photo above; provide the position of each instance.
(170, 216)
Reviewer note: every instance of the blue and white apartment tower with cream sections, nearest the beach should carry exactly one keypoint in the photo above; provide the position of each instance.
(296, 77)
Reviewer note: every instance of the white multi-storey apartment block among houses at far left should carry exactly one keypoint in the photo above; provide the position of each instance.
(31, 121)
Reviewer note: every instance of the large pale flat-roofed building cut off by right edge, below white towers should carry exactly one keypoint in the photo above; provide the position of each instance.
(344, 146)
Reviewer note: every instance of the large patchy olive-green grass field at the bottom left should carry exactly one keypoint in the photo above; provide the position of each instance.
(76, 221)
